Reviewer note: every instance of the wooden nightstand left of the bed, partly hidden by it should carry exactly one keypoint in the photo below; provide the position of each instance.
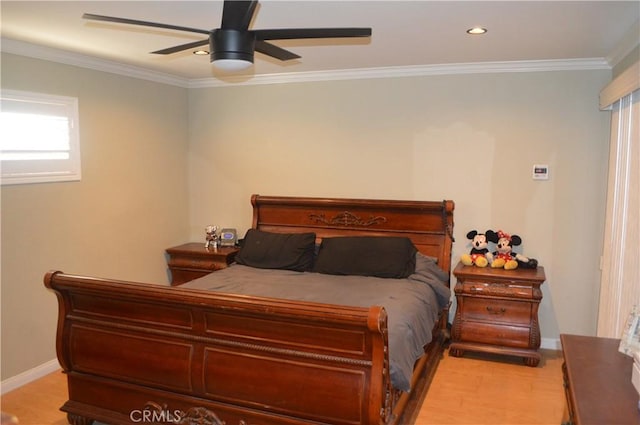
(192, 260)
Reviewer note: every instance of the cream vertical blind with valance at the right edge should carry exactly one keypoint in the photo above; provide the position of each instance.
(620, 280)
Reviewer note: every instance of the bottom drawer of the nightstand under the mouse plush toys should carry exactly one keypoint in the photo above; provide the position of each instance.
(487, 333)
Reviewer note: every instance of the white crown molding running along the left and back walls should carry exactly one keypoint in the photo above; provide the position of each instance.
(84, 61)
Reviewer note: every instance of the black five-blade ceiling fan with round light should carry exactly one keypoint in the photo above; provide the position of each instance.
(232, 46)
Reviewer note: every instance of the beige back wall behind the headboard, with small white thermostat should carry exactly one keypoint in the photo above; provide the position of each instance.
(470, 138)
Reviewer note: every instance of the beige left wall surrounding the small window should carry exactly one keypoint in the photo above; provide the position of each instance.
(130, 205)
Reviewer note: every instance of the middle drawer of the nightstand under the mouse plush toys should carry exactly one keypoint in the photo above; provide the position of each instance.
(497, 311)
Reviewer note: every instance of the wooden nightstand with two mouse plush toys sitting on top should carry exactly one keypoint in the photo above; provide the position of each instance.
(497, 311)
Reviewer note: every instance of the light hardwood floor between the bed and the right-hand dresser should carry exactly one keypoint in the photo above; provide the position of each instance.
(492, 390)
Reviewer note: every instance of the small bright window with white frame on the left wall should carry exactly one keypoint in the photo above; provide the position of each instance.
(39, 139)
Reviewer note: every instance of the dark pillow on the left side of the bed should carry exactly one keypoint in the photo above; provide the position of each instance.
(288, 251)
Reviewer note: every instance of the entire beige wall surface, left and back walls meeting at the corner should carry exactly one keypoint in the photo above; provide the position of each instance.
(161, 162)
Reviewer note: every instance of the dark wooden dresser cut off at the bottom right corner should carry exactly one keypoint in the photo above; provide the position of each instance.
(597, 380)
